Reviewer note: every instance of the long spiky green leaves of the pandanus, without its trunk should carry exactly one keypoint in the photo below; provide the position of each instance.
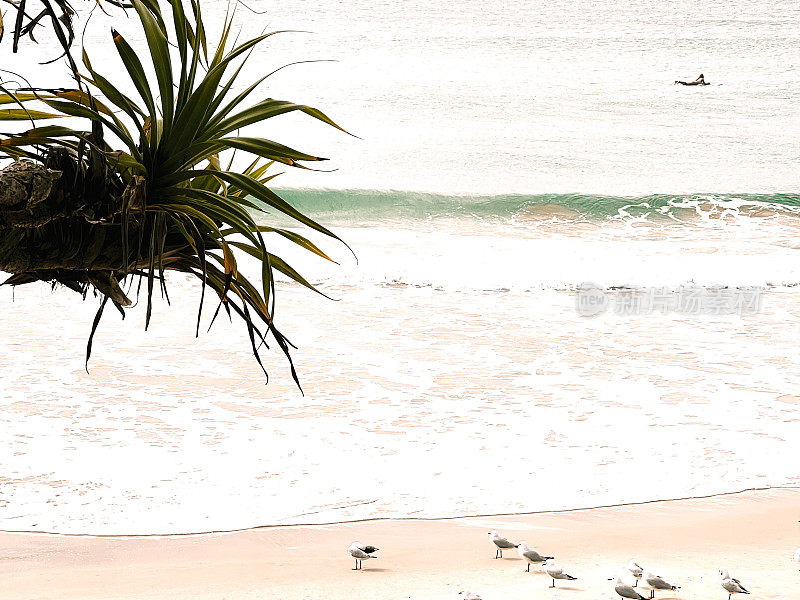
(166, 200)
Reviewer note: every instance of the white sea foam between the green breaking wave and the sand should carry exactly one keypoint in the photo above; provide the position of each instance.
(404, 384)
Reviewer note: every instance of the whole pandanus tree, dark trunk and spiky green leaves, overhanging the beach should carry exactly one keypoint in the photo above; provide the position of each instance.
(140, 188)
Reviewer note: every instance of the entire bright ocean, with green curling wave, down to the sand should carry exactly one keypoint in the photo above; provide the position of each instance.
(509, 154)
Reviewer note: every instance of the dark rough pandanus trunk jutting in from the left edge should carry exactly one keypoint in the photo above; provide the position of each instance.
(51, 229)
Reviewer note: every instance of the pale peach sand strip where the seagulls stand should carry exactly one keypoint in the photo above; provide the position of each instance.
(685, 541)
